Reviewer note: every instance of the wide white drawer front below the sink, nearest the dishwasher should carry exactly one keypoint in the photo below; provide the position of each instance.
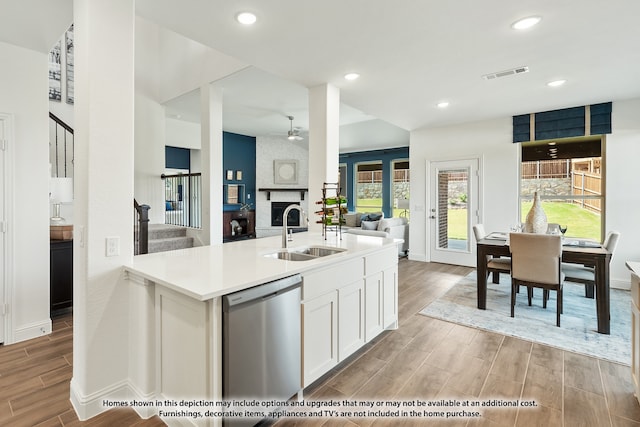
(329, 279)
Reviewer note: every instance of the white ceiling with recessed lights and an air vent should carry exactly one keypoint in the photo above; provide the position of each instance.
(410, 57)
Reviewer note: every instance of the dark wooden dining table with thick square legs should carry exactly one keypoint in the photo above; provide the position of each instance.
(575, 251)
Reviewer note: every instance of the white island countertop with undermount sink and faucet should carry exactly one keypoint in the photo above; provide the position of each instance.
(207, 272)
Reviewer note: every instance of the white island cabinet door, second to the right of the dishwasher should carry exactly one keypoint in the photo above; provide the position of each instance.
(350, 319)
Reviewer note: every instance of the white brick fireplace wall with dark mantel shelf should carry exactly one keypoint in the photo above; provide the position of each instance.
(268, 149)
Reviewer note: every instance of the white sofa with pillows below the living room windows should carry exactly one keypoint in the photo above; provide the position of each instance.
(374, 224)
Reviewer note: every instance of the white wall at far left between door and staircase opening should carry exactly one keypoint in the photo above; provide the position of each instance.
(24, 87)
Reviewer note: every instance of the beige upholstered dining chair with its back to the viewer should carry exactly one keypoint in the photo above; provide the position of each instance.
(535, 263)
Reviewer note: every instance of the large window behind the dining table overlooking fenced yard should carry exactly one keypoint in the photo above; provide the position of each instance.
(568, 175)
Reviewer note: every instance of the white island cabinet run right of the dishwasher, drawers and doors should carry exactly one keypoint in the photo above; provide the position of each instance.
(344, 306)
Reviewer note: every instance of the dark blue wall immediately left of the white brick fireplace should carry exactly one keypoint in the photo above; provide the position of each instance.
(239, 154)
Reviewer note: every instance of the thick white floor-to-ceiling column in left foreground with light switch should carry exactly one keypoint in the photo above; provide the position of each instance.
(103, 208)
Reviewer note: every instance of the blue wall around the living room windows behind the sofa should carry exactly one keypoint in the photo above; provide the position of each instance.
(387, 157)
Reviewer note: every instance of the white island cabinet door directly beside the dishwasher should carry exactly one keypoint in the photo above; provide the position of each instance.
(320, 325)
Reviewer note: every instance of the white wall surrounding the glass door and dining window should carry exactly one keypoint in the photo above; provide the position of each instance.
(491, 142)
